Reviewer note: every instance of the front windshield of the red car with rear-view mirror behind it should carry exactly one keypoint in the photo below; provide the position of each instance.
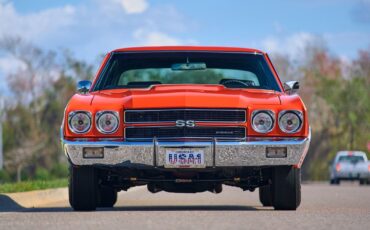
(144, 69)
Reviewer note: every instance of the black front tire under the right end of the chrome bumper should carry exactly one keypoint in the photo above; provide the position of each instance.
(286, 188)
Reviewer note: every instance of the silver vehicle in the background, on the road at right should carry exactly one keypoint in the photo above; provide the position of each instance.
(350, 165)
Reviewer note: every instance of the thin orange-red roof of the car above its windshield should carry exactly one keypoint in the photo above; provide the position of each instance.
(188, 48)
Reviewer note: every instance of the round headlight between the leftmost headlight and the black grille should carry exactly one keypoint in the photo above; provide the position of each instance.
(107, 121)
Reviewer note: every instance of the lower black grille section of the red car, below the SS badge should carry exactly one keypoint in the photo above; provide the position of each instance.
(175, 132)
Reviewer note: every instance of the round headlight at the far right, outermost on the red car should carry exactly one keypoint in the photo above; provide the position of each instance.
(290, 121)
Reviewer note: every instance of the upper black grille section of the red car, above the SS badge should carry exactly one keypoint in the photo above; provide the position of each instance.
(171, 115)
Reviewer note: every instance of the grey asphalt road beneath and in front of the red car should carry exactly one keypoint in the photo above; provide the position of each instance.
(323, 207)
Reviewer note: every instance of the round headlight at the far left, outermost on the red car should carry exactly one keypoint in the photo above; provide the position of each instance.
(79, 121)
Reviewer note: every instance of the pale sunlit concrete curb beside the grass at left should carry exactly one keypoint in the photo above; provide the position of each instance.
(33, 199)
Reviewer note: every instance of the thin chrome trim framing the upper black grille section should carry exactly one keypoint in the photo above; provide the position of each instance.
(187, 109)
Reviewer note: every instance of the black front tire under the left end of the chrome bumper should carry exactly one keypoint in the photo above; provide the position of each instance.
(82, 188)
